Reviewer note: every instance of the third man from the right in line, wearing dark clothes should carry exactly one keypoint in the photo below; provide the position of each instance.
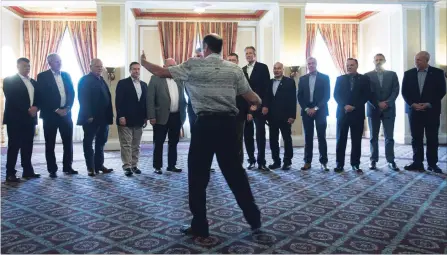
(351, 92)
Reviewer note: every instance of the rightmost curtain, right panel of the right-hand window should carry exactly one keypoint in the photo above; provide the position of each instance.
(342, 42)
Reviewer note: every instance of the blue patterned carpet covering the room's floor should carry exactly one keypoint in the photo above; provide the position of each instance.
(303, 212)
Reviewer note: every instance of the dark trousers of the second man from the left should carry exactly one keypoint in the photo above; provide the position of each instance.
(50, 127)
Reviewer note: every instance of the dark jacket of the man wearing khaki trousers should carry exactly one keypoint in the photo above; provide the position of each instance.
(127, 104)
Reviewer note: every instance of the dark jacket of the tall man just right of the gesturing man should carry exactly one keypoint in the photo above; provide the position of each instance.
(259, 81)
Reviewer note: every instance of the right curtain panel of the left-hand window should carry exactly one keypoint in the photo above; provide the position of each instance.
(83, 36)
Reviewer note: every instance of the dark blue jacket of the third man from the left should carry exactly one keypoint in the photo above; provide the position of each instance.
(89, 91)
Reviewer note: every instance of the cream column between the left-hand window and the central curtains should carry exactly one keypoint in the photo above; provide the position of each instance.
(112, 51)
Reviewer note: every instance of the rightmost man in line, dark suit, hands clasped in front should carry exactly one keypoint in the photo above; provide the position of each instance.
(423, 88)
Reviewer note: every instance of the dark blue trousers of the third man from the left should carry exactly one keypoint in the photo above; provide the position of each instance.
(94, 159)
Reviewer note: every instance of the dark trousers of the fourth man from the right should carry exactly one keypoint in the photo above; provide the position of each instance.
(319, 122)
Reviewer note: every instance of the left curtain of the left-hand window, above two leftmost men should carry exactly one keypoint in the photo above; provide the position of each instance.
(40, 39)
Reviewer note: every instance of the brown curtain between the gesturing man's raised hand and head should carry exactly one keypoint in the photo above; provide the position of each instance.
(177, 39)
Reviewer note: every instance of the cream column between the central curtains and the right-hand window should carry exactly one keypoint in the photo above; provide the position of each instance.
(289, 48)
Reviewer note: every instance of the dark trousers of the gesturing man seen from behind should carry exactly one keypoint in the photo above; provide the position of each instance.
(204, 144)
